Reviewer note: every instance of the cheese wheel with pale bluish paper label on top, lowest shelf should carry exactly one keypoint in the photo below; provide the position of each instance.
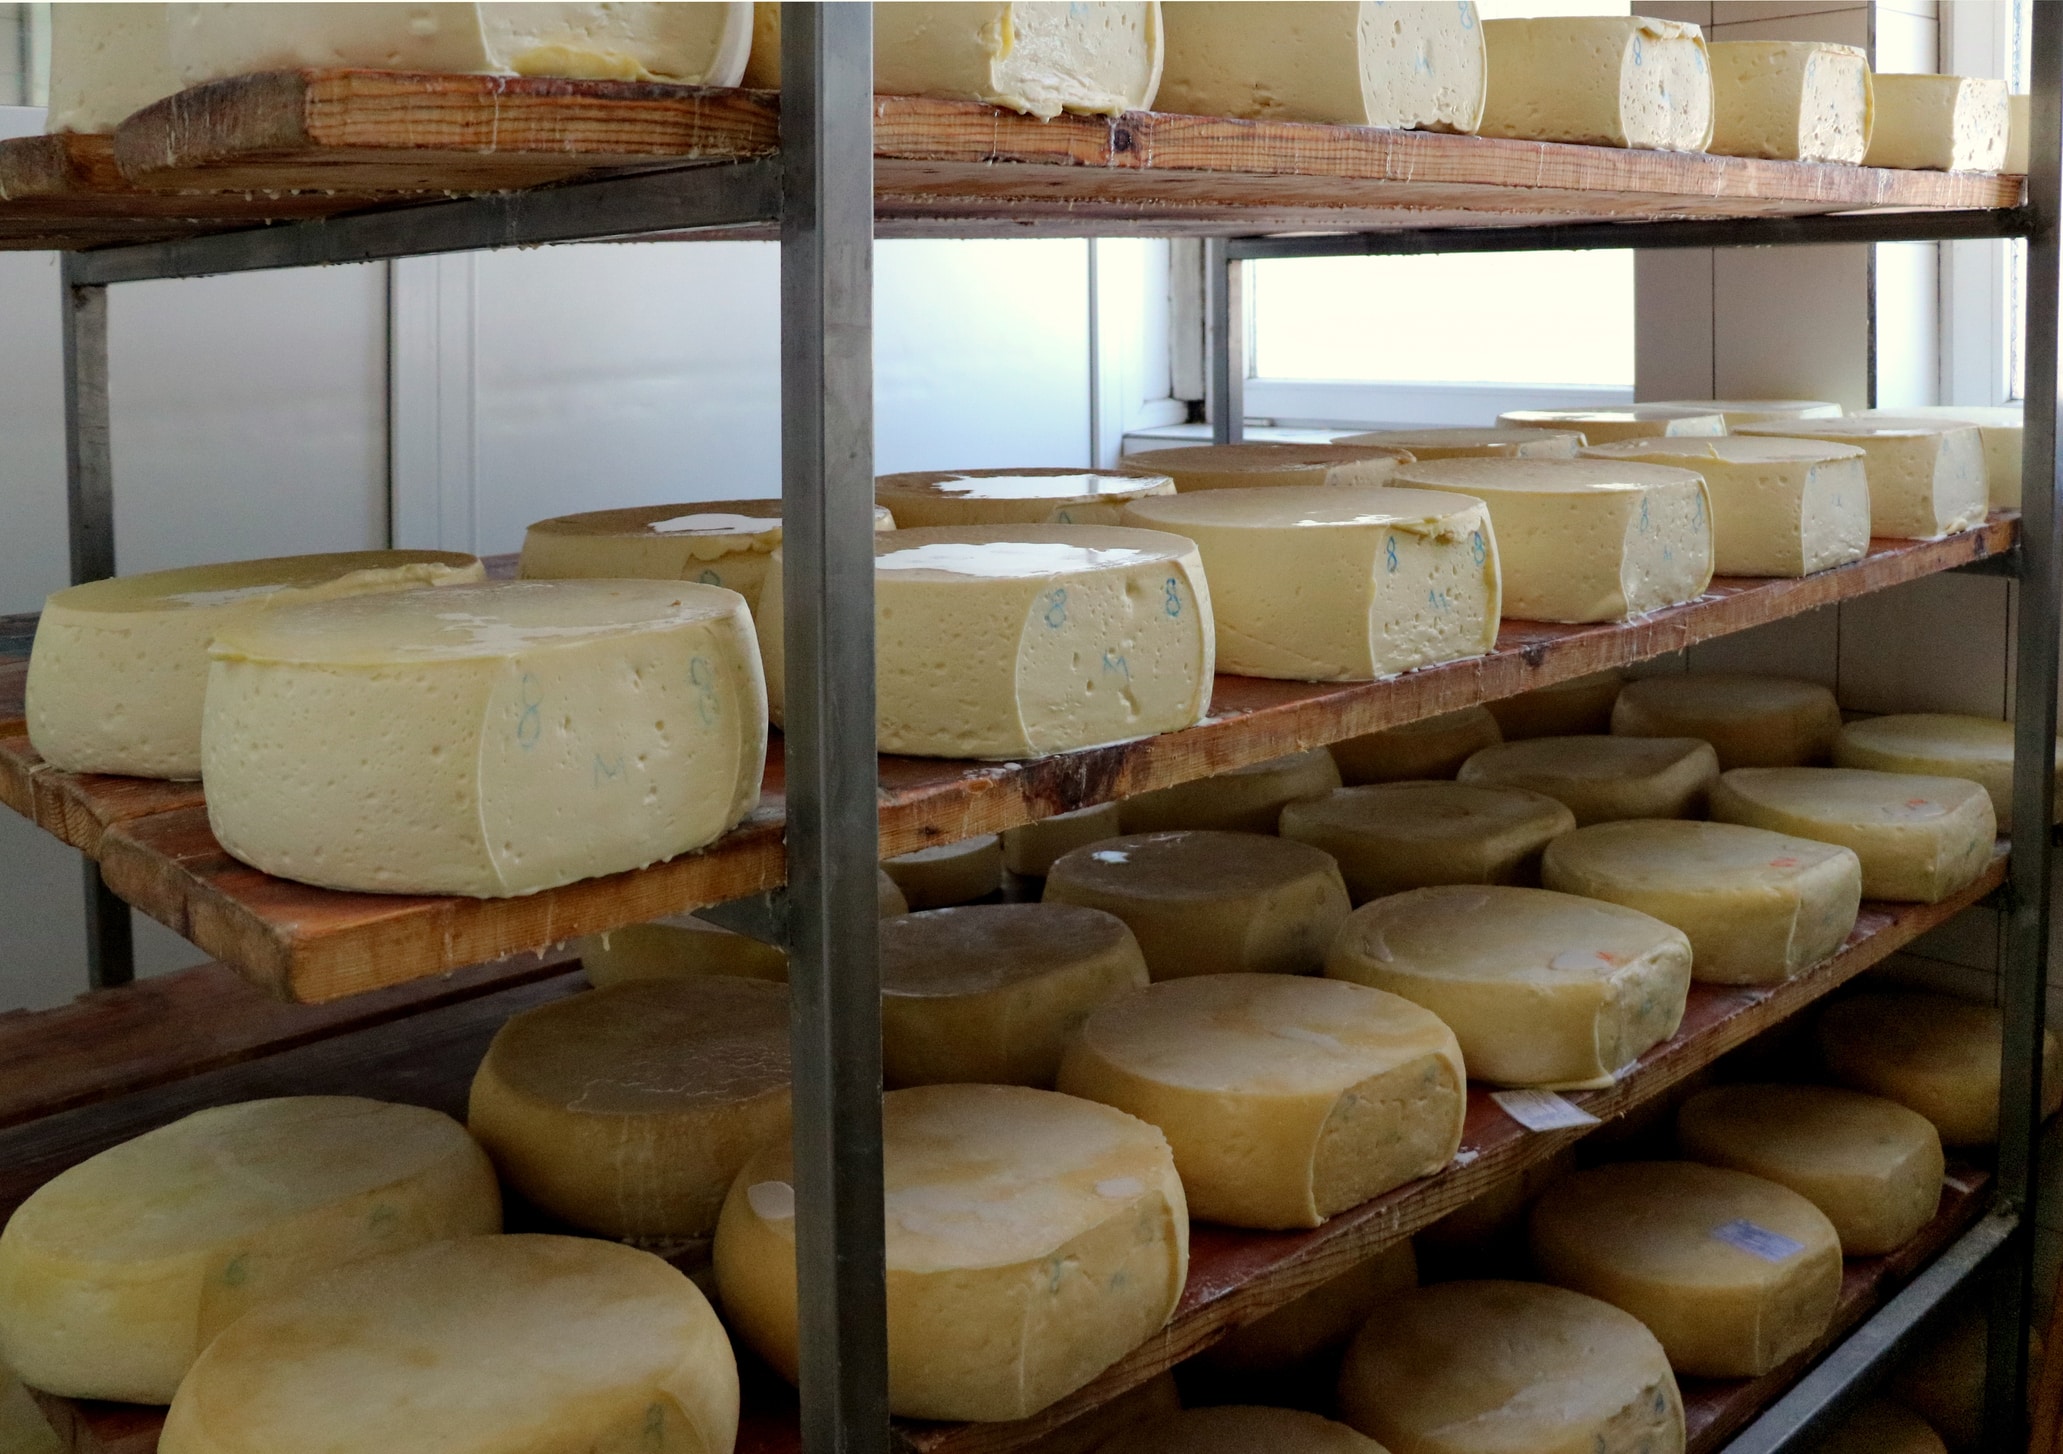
(1732, 1274)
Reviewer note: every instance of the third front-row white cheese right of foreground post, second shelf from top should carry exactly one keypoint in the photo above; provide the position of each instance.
(1587, 539)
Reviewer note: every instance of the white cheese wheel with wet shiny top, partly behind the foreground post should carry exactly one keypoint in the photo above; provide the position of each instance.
(1028, 640)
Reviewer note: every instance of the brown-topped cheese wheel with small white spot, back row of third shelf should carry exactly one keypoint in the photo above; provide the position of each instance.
(1206, 902)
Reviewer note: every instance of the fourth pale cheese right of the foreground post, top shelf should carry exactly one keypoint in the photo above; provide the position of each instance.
(1792, 100)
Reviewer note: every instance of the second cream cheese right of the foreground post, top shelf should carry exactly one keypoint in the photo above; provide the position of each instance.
(1352, 65)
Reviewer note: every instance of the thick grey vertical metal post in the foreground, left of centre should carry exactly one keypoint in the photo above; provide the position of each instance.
(828, 548)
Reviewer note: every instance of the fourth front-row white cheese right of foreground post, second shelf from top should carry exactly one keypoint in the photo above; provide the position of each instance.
(1779, 506)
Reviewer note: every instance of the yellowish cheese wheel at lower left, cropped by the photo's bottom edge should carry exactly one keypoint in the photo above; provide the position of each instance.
(488, 1346)
